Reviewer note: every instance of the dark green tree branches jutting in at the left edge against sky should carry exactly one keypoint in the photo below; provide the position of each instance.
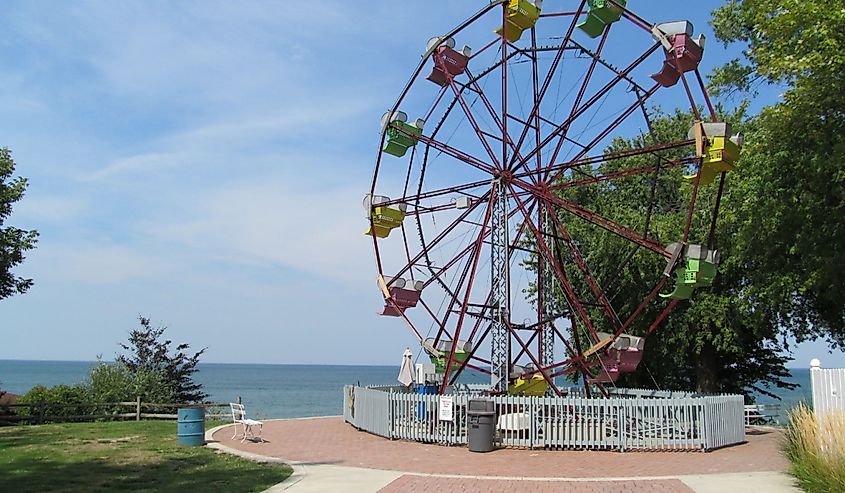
(13, 241)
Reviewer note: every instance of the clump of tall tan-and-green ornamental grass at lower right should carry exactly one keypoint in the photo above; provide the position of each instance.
(816, 448)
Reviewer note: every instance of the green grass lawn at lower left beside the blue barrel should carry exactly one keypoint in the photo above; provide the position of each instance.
(121, 456)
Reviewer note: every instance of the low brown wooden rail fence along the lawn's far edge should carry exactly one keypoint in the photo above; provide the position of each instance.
(42, 412)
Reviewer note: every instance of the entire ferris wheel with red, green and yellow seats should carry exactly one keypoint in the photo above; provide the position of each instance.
(482, 205)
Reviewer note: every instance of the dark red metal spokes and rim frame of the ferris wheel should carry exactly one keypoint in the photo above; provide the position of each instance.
(522, 186)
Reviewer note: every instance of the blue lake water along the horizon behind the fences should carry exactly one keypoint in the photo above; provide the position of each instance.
(282, 391)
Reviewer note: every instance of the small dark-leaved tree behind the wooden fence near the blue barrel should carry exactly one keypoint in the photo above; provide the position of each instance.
(150, 357)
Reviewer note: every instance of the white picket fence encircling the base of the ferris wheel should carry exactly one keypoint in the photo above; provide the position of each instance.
(684, 422)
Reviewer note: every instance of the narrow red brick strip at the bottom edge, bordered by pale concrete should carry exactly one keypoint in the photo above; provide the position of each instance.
(423, 484)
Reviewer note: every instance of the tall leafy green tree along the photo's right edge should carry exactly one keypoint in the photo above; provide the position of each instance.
(794, 207)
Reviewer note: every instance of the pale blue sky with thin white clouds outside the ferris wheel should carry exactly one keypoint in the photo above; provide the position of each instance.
(202, 163)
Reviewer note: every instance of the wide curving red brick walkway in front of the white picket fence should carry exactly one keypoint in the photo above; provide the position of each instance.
(331, 441)
